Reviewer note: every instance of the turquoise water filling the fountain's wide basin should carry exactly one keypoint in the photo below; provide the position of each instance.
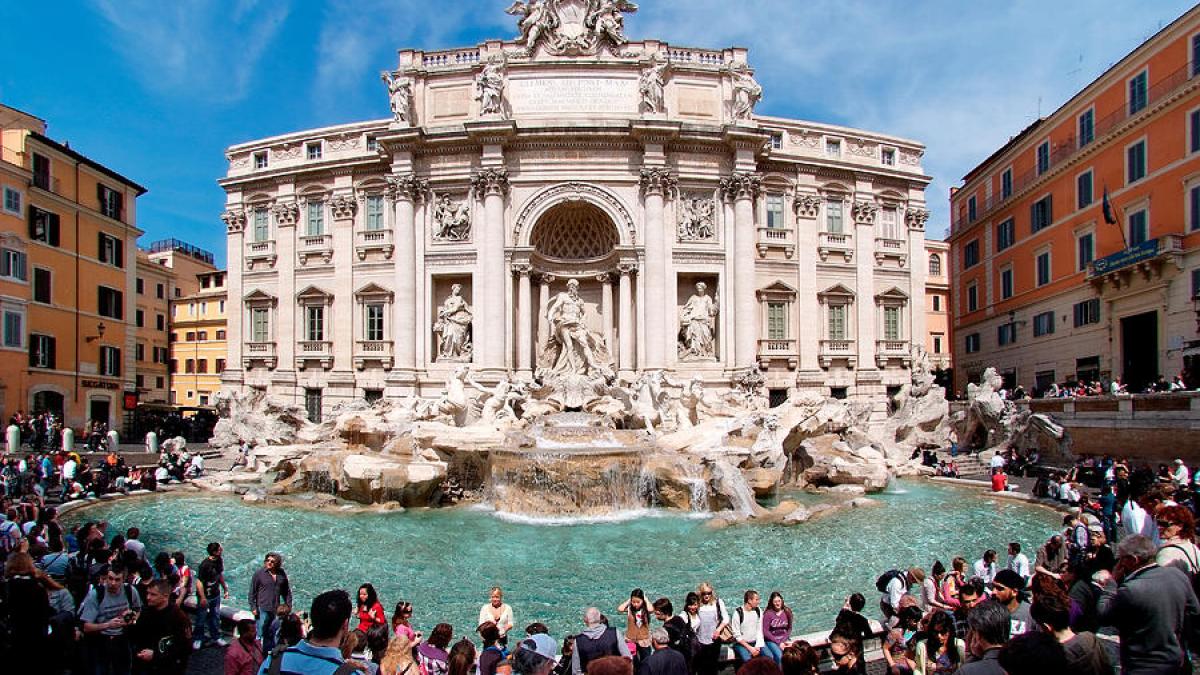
(445, 561)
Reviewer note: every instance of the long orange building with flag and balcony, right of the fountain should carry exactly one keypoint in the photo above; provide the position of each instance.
(1045, 288)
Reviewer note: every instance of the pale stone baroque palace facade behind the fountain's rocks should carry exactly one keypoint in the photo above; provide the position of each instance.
(572, 201)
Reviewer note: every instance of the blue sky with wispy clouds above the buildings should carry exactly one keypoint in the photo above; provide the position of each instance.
(158, 89)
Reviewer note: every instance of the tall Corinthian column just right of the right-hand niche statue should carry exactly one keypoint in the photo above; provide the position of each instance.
(742, 189)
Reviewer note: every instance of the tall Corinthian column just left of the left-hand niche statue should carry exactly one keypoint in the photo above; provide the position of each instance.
(405, 190)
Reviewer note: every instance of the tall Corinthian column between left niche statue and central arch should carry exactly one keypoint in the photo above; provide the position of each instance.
(493, 184)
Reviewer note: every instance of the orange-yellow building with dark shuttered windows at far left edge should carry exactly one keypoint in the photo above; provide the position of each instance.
(68, 261)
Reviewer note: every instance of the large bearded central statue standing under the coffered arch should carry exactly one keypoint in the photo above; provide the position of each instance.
(573, 349)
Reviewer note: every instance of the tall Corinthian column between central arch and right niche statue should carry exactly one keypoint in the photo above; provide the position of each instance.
(656, 184)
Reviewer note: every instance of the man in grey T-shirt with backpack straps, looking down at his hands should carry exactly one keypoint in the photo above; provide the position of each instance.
(107, 613)
